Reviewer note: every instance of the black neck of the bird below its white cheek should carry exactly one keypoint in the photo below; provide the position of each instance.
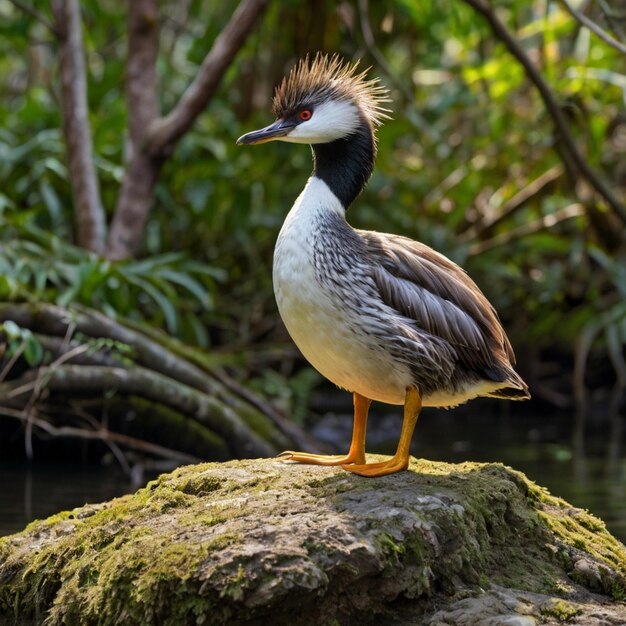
(346, 164)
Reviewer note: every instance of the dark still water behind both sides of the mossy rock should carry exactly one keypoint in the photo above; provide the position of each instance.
(540, 447)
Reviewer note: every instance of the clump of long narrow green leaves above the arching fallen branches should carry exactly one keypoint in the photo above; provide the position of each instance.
(166, 289)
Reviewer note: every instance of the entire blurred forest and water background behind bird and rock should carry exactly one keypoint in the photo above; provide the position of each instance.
(138, 325)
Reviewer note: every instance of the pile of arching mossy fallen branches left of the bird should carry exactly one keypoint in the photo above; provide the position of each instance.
(108, 368)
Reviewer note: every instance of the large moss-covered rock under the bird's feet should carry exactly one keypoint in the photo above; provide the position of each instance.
(261, 541)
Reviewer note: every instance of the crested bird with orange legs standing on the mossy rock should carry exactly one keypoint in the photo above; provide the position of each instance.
(380, 315)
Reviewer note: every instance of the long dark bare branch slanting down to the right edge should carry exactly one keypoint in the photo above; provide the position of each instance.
(552, 107)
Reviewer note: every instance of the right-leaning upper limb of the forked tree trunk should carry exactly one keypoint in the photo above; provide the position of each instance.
(166, 132)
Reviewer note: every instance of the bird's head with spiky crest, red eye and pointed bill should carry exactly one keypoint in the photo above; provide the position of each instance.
(322, 100)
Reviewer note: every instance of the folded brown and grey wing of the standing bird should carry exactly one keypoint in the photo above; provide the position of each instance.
(439, 296)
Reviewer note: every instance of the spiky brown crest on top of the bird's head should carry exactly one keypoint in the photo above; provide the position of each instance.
(323, 78)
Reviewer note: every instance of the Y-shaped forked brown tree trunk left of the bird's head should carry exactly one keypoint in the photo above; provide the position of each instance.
(154, 138)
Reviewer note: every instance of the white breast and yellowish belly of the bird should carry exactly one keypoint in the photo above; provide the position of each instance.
(324, 329)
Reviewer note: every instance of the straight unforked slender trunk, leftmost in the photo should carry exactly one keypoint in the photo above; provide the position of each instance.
(90, 219)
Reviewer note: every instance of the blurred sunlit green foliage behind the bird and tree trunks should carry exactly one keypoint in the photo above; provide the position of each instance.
(469, 133)
